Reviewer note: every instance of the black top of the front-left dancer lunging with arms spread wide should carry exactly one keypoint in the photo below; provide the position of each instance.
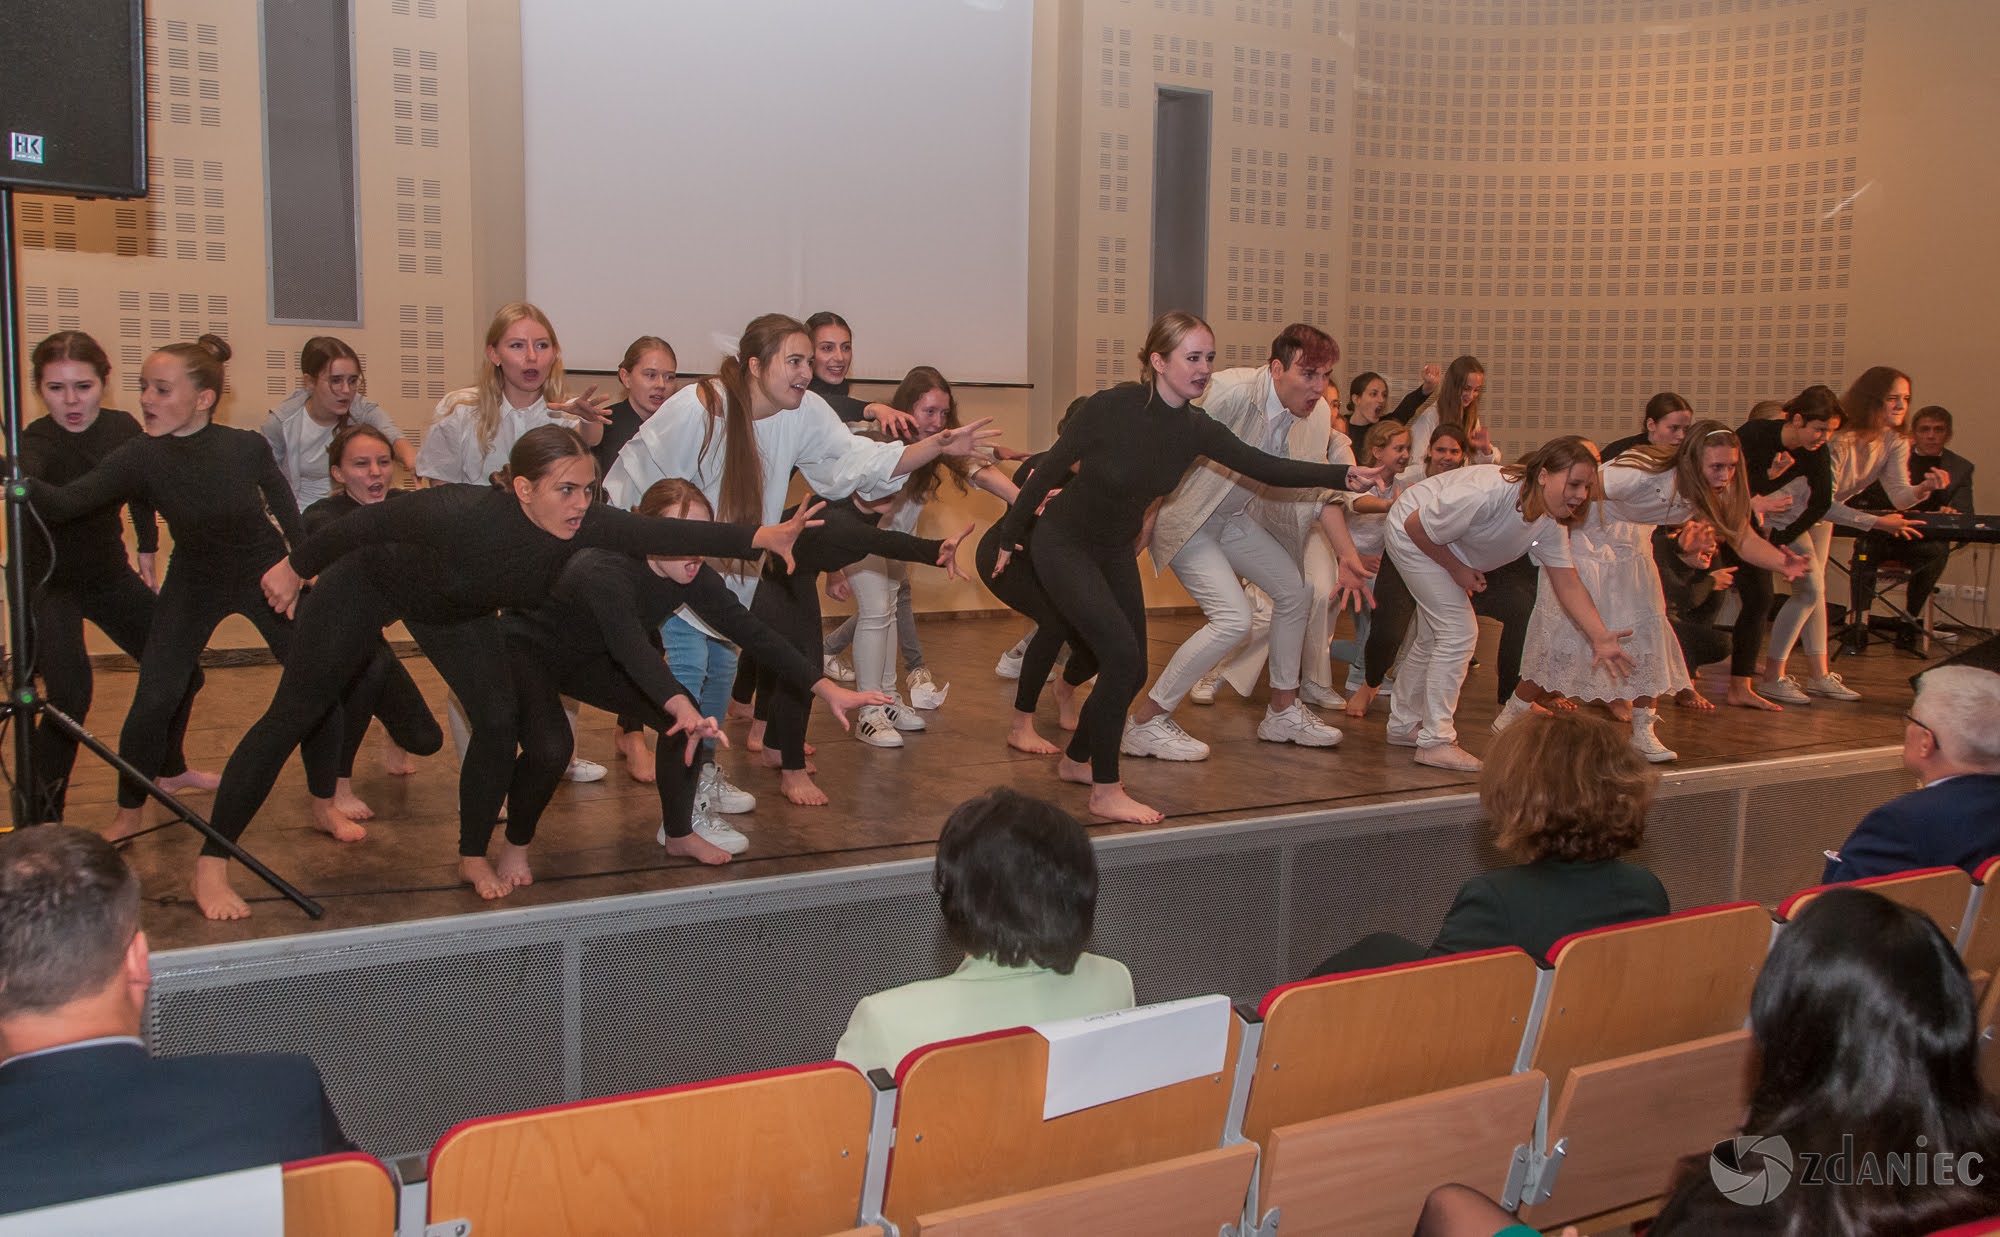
(461, 551)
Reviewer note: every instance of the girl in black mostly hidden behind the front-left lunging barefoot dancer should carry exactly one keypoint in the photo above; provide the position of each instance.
(361, 461)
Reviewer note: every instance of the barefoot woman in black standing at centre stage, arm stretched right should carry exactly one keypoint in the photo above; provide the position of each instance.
(1131, 445)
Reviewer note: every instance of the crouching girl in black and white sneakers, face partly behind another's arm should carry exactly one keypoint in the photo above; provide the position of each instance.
(593, 642)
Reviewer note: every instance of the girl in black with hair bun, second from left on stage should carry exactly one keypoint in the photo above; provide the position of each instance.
(221, 493)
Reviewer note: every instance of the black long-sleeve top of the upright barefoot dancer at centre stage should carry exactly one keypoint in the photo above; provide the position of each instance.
(1129, 449)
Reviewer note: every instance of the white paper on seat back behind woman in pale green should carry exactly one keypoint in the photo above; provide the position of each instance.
(1111, 1056)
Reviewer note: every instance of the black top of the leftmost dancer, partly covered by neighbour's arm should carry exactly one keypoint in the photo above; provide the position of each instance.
(91, 549)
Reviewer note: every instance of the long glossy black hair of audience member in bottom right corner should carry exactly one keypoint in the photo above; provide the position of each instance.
(1867, 1030)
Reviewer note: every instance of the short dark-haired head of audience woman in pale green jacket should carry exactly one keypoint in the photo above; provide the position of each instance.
(1017, 882)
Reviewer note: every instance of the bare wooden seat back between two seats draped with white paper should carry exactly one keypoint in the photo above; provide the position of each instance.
(767, 1154)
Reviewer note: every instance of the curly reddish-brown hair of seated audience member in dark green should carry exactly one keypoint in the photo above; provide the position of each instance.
(1567, 786)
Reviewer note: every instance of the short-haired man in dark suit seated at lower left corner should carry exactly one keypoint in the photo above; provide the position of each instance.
(85, 1110)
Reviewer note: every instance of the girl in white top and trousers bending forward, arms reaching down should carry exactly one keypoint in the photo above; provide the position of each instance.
(1443, 535)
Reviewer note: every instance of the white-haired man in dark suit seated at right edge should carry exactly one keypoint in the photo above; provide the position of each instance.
(1951, 740)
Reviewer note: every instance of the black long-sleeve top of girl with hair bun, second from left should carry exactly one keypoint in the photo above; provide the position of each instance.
(219, 489)
